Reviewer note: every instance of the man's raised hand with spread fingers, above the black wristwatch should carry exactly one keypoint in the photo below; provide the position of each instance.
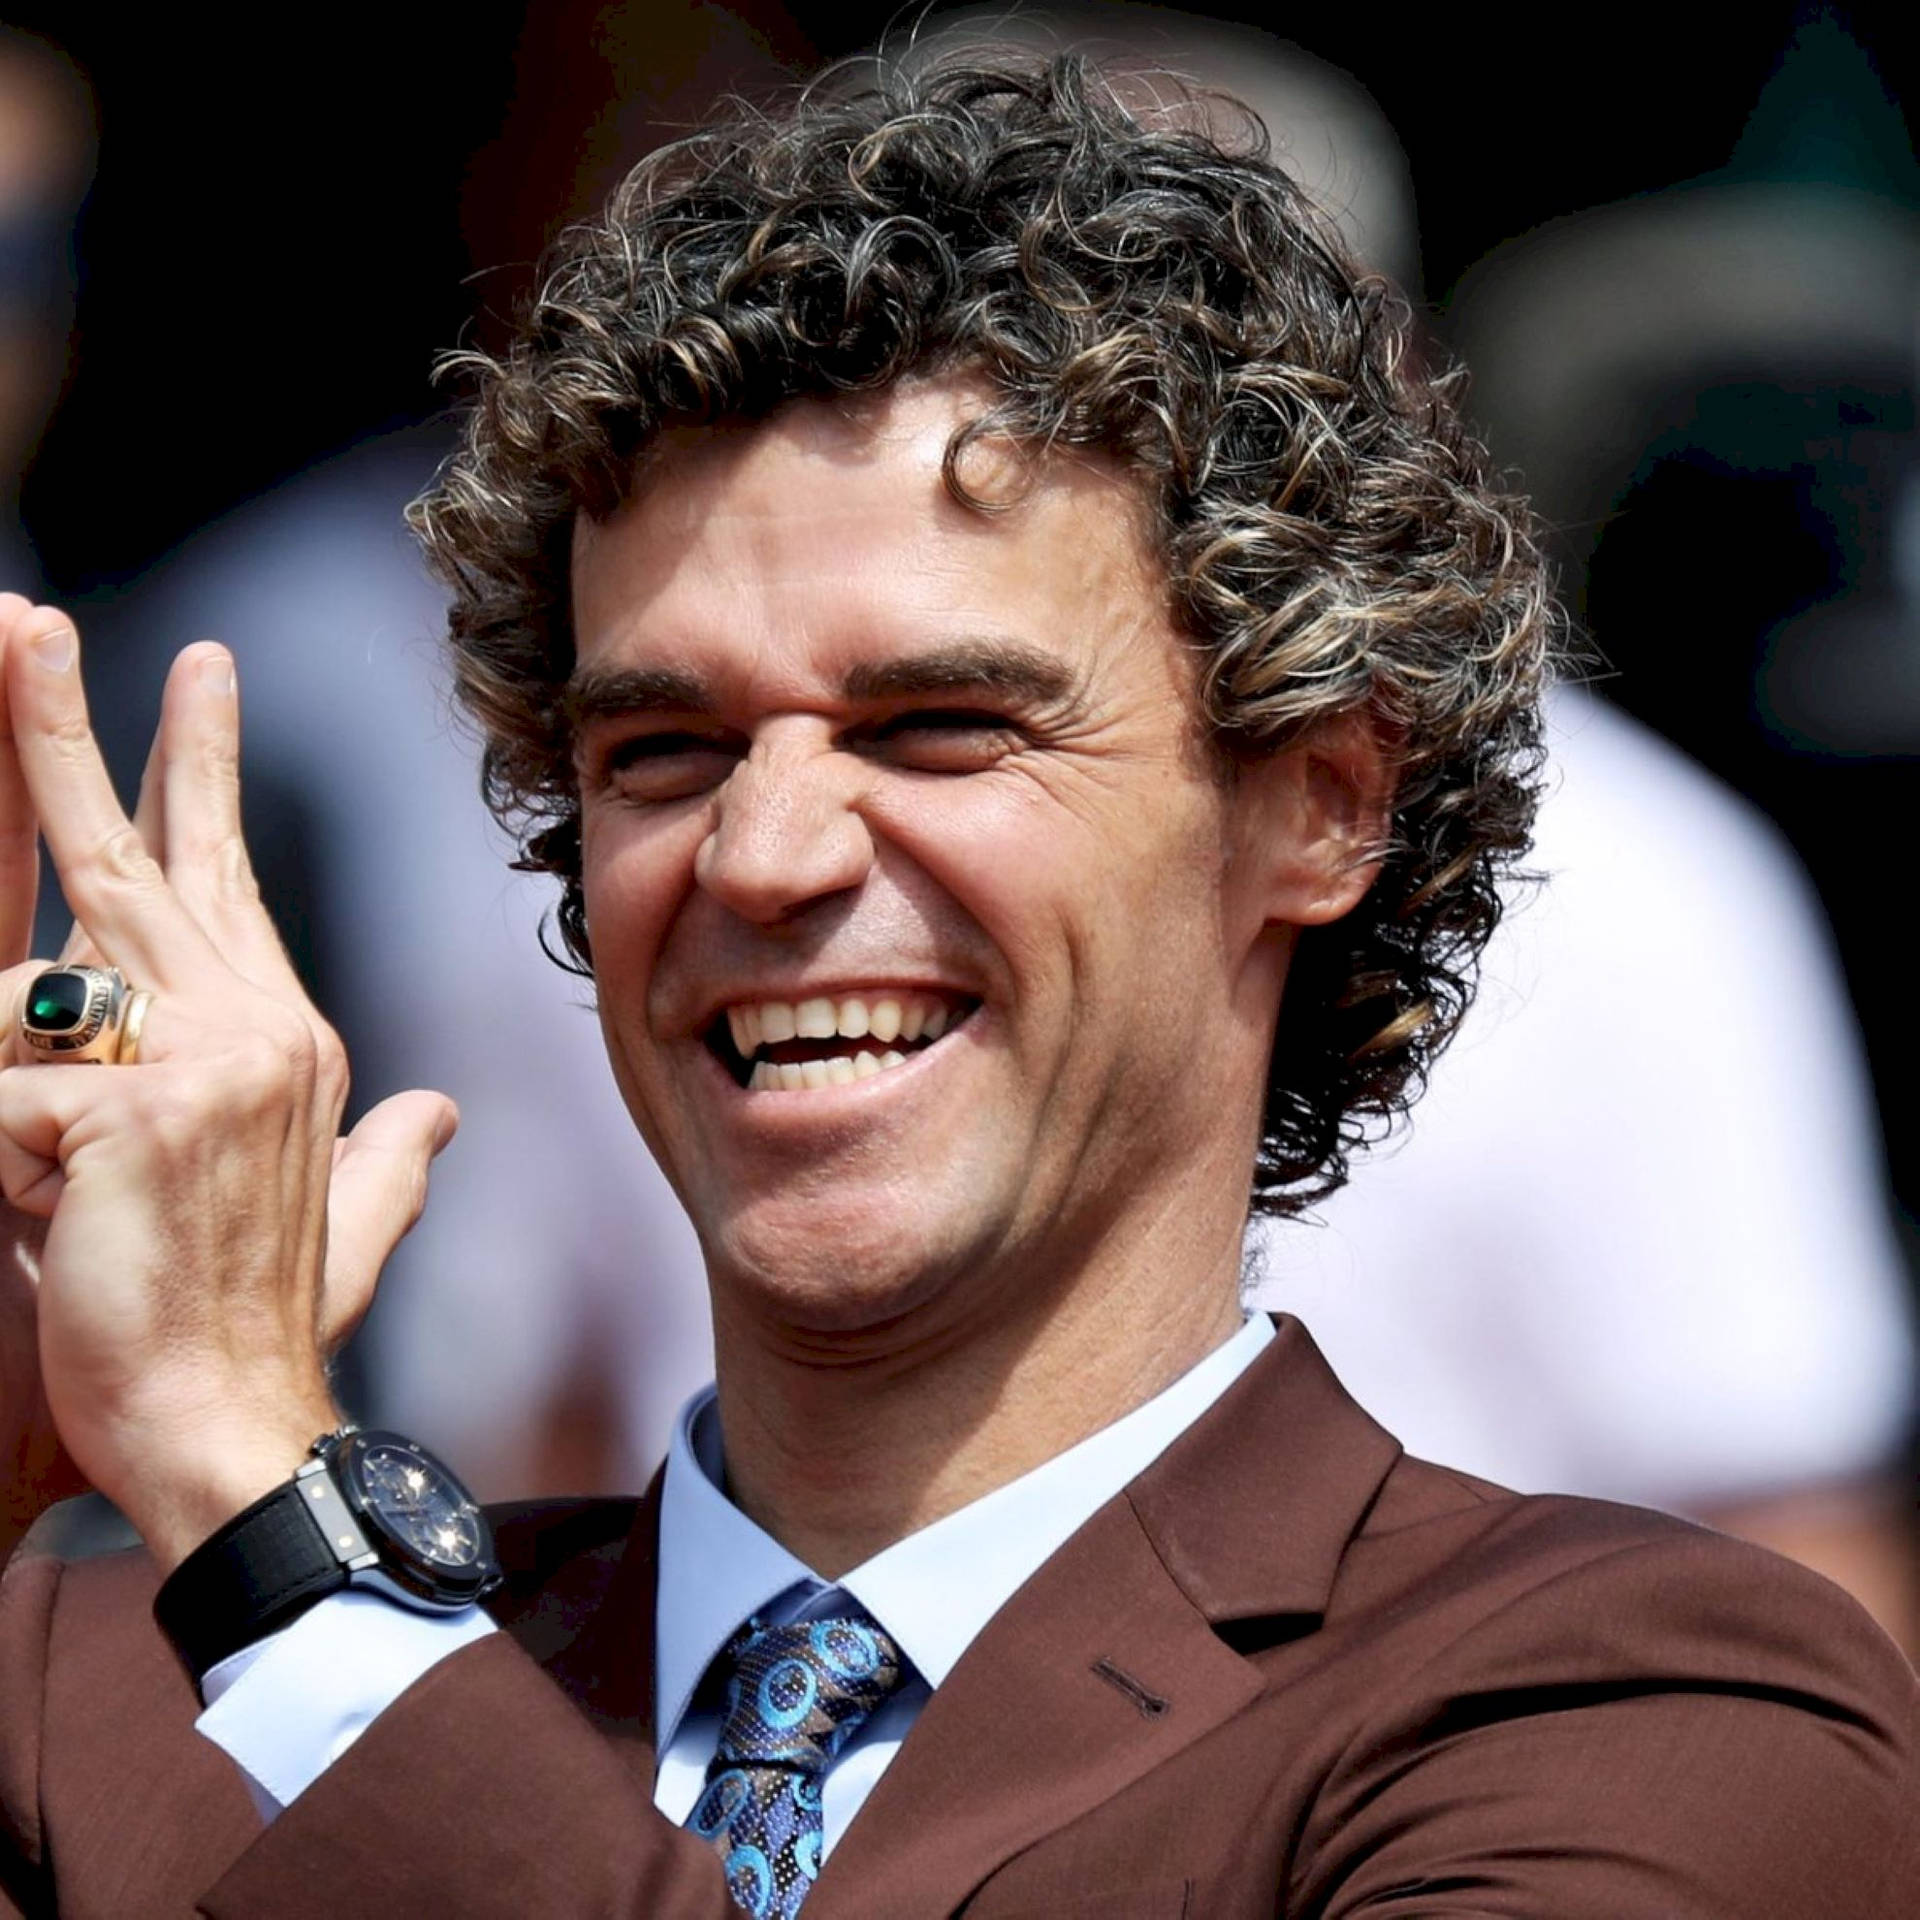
(187, 1295)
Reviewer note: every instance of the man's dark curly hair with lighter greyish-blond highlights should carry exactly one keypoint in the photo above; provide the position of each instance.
(1126, 279)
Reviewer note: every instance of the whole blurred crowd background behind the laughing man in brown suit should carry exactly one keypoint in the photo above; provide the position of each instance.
(1652, 1234)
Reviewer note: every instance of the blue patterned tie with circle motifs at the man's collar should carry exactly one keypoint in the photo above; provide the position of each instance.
(798, 1694)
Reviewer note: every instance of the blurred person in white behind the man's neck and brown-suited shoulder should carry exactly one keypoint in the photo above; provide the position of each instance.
(1639, 1241)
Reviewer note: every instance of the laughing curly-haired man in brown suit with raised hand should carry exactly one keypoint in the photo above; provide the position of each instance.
(1026, 696)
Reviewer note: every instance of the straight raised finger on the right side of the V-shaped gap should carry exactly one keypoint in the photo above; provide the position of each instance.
(203, 842)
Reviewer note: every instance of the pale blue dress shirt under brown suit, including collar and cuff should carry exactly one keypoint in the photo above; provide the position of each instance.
(285, 1710)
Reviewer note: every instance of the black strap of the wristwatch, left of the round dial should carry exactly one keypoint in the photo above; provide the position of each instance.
(256, 1573)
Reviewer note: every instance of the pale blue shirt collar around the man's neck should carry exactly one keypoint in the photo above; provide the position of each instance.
(936, 1589)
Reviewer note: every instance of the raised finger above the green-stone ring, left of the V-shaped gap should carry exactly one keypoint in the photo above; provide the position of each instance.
(114, 886)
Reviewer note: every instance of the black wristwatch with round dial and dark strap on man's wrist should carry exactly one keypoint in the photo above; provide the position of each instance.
(368, 1510)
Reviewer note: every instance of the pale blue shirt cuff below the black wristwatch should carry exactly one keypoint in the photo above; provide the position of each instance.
(287, 1708)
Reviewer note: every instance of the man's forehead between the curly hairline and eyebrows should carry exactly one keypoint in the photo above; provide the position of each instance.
(792, 550)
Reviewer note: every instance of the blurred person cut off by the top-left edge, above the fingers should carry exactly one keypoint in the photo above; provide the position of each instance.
(47, 160)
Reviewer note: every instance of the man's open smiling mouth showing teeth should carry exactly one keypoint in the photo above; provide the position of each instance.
(800, 1045)
